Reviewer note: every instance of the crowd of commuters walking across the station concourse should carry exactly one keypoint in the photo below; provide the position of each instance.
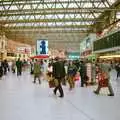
(60, 72)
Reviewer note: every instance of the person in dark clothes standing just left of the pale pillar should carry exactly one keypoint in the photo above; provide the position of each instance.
(83, 74)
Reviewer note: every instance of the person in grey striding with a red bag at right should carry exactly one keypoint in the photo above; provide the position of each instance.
(103, 81)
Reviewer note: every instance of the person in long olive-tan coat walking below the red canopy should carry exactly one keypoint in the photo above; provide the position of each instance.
(37, 71)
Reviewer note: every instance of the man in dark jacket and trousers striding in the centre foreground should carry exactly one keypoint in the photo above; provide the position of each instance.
(58, 74)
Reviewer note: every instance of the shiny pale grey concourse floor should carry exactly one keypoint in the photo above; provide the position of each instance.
(20, 99)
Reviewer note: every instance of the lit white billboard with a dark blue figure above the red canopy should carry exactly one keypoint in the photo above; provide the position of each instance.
(42, 47)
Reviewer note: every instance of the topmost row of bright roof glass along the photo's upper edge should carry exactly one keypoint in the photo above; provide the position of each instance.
(74, 4)
